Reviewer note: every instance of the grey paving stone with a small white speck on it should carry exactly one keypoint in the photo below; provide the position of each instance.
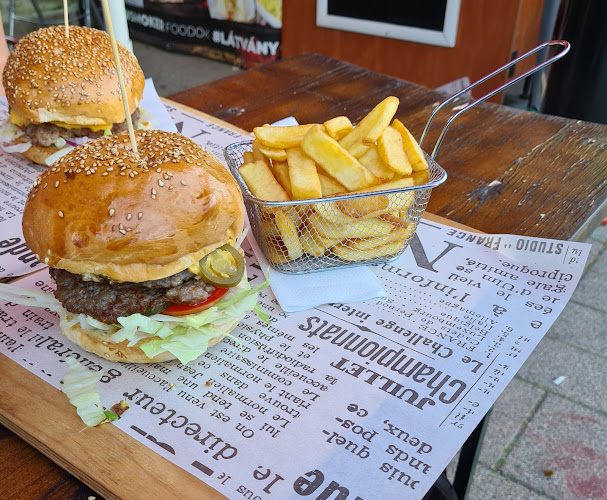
(585, 374)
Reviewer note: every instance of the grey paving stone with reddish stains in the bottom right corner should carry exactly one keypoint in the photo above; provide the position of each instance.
(562, 453)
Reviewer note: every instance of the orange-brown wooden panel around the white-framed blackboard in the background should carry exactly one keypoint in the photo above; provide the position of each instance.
(489, 31)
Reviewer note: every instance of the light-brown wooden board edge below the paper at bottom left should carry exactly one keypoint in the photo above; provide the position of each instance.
(105, 458)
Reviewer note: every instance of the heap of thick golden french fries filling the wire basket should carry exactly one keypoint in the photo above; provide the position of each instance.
(314, 161)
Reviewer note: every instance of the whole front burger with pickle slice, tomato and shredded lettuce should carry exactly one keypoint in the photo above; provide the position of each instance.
(143, 247)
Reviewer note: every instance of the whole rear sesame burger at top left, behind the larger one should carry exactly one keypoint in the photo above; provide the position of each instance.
(63, 91)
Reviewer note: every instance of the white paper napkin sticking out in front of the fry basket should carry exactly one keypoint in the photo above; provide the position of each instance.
(298, 292)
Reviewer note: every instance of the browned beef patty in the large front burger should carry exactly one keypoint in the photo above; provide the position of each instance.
(107, 301)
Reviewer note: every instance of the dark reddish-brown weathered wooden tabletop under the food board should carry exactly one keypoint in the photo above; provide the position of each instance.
(510, 171)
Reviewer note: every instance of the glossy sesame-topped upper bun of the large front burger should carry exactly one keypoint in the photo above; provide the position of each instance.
(103, 210)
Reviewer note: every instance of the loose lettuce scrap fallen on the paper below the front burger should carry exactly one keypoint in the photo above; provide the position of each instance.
(79, 385)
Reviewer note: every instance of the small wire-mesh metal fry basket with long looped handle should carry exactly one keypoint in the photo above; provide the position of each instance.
(353, 229)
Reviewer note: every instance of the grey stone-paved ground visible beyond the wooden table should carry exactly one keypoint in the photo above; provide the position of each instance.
(545, 440)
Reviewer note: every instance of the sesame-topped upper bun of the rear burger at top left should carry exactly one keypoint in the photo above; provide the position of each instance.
(51, 78)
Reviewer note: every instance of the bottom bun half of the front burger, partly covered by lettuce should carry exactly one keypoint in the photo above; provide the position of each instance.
(98, 342)
